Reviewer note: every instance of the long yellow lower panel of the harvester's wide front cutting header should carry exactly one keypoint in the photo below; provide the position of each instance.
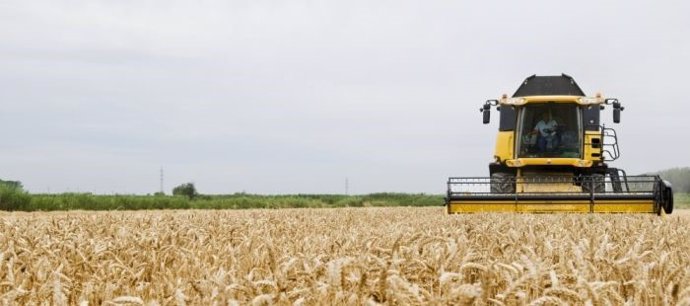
(603, 206)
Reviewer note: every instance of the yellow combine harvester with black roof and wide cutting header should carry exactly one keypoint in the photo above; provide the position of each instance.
(551, 156)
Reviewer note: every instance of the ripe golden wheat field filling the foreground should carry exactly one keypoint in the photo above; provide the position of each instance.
(348, 256)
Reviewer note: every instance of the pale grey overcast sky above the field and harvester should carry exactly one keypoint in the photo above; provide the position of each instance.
(278, 97)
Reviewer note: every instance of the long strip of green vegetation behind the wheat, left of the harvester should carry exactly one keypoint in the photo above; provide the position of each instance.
(16, 199)
